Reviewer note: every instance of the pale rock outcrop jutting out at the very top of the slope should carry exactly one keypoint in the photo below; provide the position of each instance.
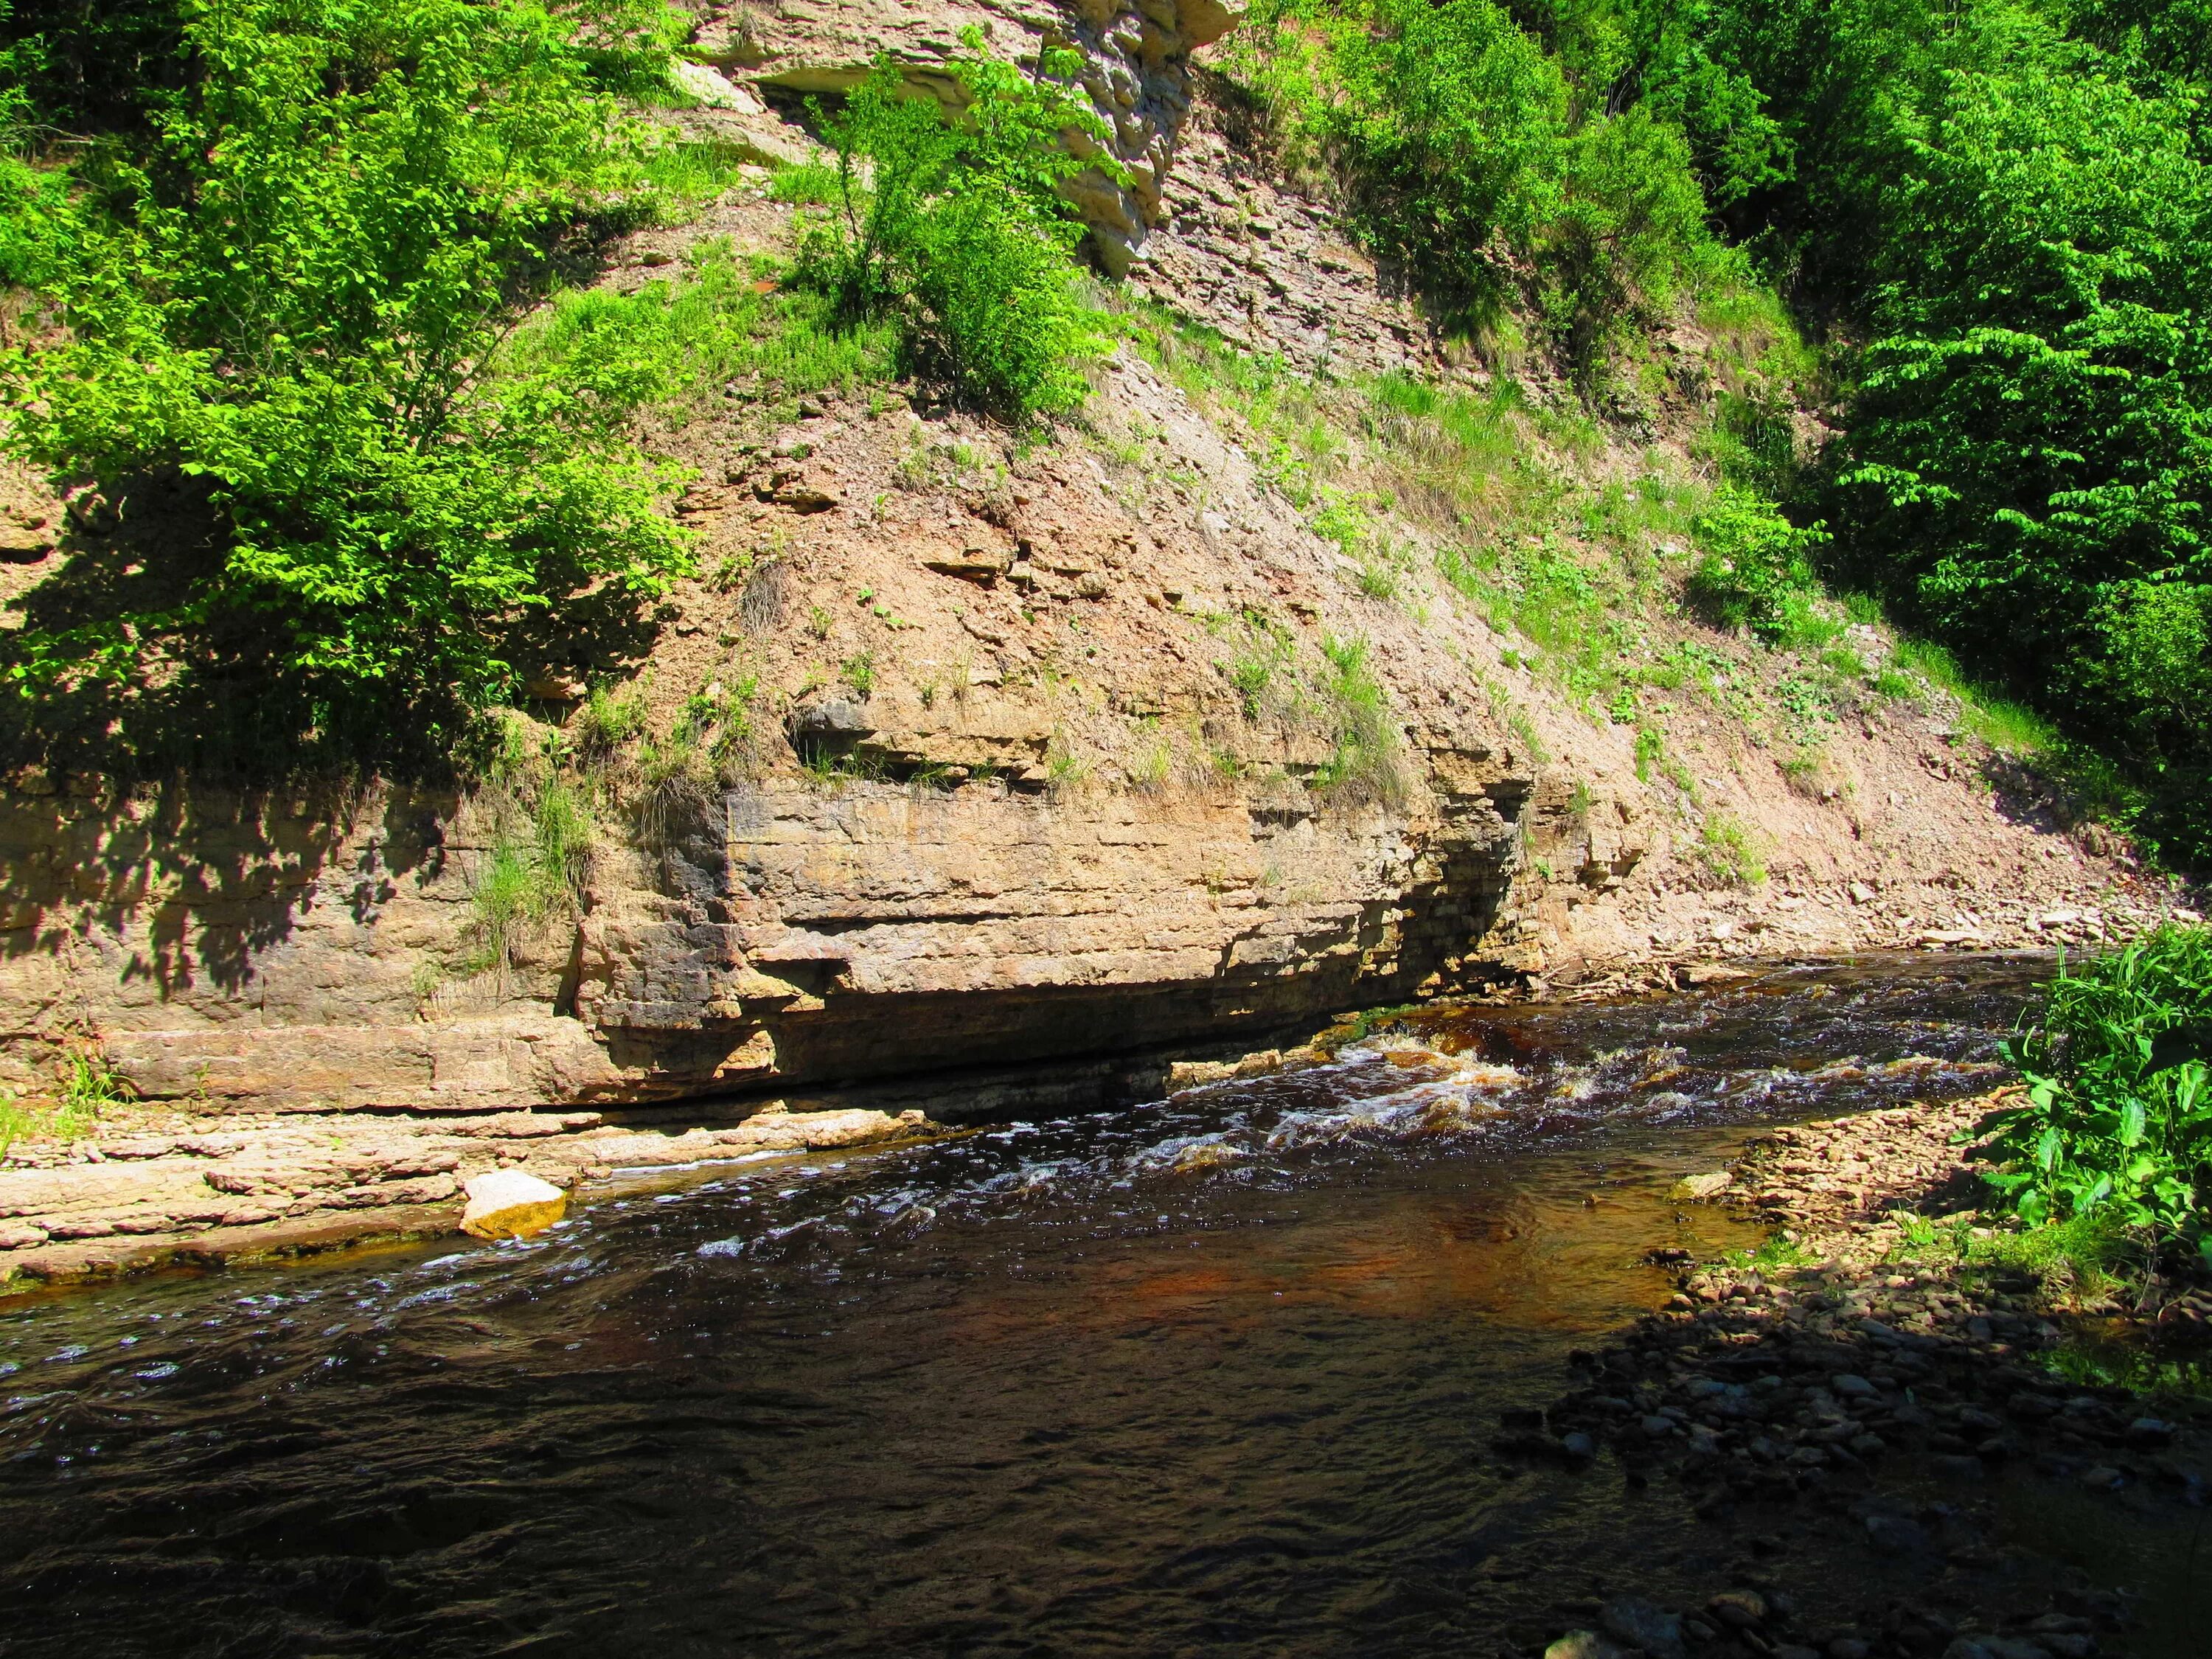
(1134, 67)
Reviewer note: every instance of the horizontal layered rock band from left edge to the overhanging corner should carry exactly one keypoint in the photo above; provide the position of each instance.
(804, 937)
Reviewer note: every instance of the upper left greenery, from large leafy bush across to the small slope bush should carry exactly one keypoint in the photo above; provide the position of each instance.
(304, 309)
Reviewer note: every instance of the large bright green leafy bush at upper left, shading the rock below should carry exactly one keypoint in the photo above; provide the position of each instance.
(284, 291)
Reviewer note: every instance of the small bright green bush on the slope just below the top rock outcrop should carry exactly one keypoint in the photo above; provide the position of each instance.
(954, 229)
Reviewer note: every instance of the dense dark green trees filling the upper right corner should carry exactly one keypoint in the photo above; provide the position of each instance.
(2012, 205)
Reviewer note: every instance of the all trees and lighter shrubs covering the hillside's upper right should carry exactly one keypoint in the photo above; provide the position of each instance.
(2007, 207)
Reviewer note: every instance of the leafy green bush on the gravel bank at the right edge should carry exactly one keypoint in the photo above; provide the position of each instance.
(2120, 1098)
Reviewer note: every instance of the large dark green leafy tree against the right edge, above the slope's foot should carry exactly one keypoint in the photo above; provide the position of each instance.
(2032, 452)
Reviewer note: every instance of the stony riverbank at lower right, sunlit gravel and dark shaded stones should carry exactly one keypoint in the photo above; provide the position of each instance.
(1892, 1375)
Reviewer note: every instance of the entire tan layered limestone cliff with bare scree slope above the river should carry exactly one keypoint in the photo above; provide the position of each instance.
(1052, 753)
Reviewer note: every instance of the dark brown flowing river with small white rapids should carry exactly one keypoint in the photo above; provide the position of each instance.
(1211, 1375)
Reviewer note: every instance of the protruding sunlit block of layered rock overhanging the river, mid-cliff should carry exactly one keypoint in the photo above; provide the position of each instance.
(899, 930)
